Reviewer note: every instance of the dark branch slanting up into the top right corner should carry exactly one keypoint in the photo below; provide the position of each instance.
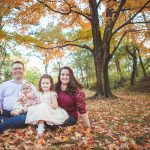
(129, 20)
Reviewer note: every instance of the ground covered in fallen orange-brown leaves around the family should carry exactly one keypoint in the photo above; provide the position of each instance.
(123, 123)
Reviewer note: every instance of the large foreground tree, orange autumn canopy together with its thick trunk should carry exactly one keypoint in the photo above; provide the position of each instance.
(99, 26)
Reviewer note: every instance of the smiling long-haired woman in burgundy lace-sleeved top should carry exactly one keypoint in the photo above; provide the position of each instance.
(71, 97)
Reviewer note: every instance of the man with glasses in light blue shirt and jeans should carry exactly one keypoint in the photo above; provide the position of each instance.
(9, 93)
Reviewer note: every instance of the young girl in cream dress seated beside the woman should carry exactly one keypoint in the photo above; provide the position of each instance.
(47, 111)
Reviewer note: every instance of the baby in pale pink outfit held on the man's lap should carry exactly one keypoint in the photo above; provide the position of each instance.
(26, 99)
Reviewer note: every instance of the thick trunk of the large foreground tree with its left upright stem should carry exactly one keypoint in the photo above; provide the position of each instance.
(101, 60)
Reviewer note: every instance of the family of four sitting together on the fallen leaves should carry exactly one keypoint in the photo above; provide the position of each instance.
(51, 105)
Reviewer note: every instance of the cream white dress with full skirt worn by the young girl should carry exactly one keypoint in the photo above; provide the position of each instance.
(45, 112)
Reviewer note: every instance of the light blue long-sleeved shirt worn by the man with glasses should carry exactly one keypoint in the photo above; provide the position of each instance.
(9, 93)
